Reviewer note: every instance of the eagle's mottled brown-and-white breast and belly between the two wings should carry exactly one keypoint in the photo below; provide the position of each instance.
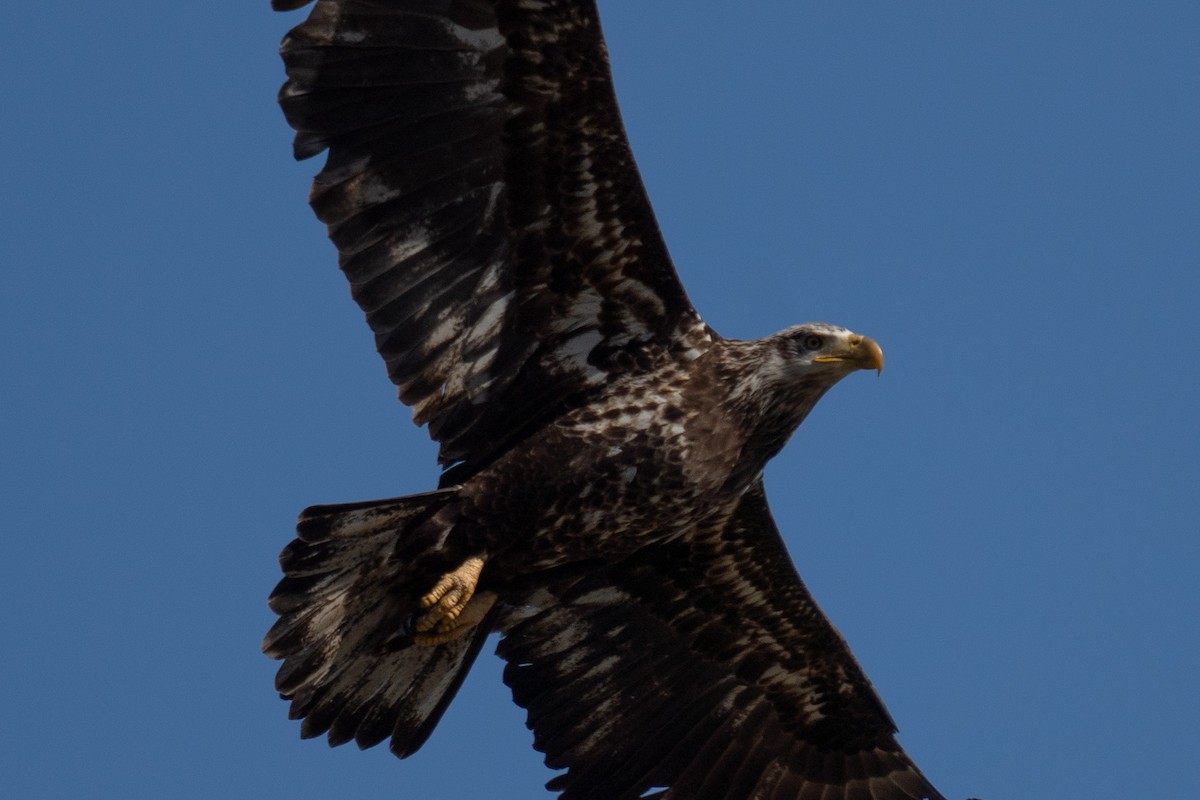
(646, 460)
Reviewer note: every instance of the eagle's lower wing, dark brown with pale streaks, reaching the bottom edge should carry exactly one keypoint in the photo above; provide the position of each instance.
(706, 667)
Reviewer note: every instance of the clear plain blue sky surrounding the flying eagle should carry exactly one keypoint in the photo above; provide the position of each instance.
(1004, 526)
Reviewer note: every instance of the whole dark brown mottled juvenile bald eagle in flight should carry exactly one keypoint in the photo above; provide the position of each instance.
(602, 504)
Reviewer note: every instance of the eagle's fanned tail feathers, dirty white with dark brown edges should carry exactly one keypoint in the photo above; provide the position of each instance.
(347, 603)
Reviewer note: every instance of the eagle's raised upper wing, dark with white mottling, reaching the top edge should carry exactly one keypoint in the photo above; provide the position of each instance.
(485, 204)
